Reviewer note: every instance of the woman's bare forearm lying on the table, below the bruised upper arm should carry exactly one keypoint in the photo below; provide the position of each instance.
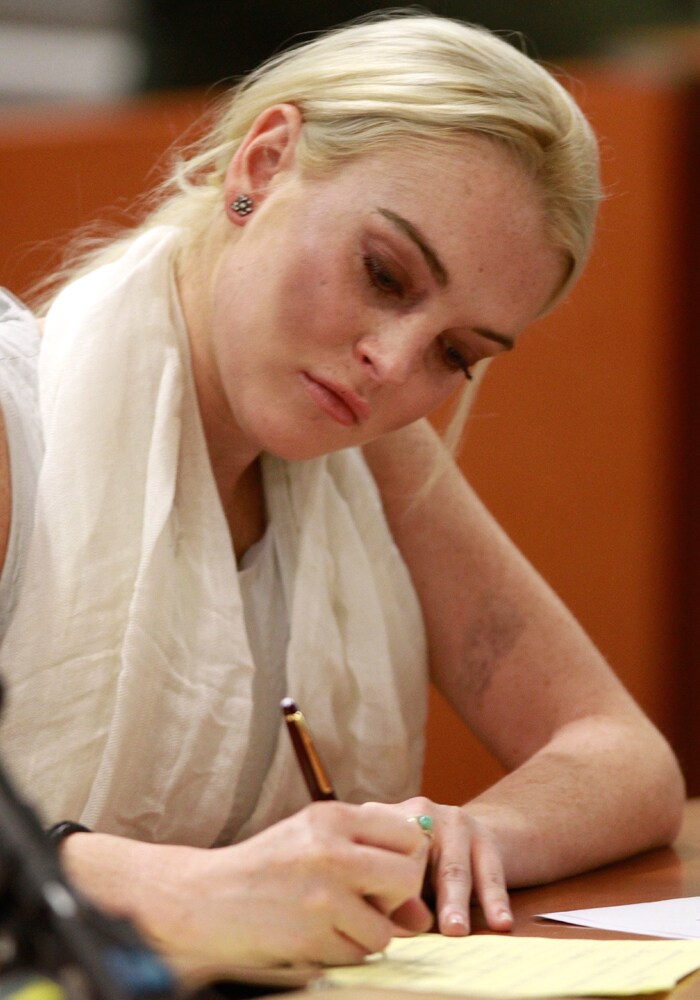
(600, 790)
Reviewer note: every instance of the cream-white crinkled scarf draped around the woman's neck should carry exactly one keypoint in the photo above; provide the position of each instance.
(127, 663)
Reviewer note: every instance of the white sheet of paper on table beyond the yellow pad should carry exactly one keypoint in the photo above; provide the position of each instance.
(669, 918)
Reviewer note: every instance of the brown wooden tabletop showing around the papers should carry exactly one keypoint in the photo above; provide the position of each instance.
(662, 874)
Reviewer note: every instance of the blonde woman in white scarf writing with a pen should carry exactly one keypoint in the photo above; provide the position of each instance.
(239, 498)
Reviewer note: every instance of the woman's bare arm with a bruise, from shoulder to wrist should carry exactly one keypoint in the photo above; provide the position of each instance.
(591, 780)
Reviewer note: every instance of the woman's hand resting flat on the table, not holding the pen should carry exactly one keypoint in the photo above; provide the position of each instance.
(464, 862)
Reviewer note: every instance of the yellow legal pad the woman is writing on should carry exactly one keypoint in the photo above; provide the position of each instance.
(519, 968)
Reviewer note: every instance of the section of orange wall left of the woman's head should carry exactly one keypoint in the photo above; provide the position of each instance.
(66, 167)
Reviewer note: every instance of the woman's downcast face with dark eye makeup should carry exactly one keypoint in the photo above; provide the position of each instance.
(349, 306)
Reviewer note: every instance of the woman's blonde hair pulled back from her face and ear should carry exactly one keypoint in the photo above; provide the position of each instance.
(389, 78)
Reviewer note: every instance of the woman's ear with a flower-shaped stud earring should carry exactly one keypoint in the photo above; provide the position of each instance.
(267, 150)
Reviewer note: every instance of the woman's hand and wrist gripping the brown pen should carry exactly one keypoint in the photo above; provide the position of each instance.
(330, 884)
